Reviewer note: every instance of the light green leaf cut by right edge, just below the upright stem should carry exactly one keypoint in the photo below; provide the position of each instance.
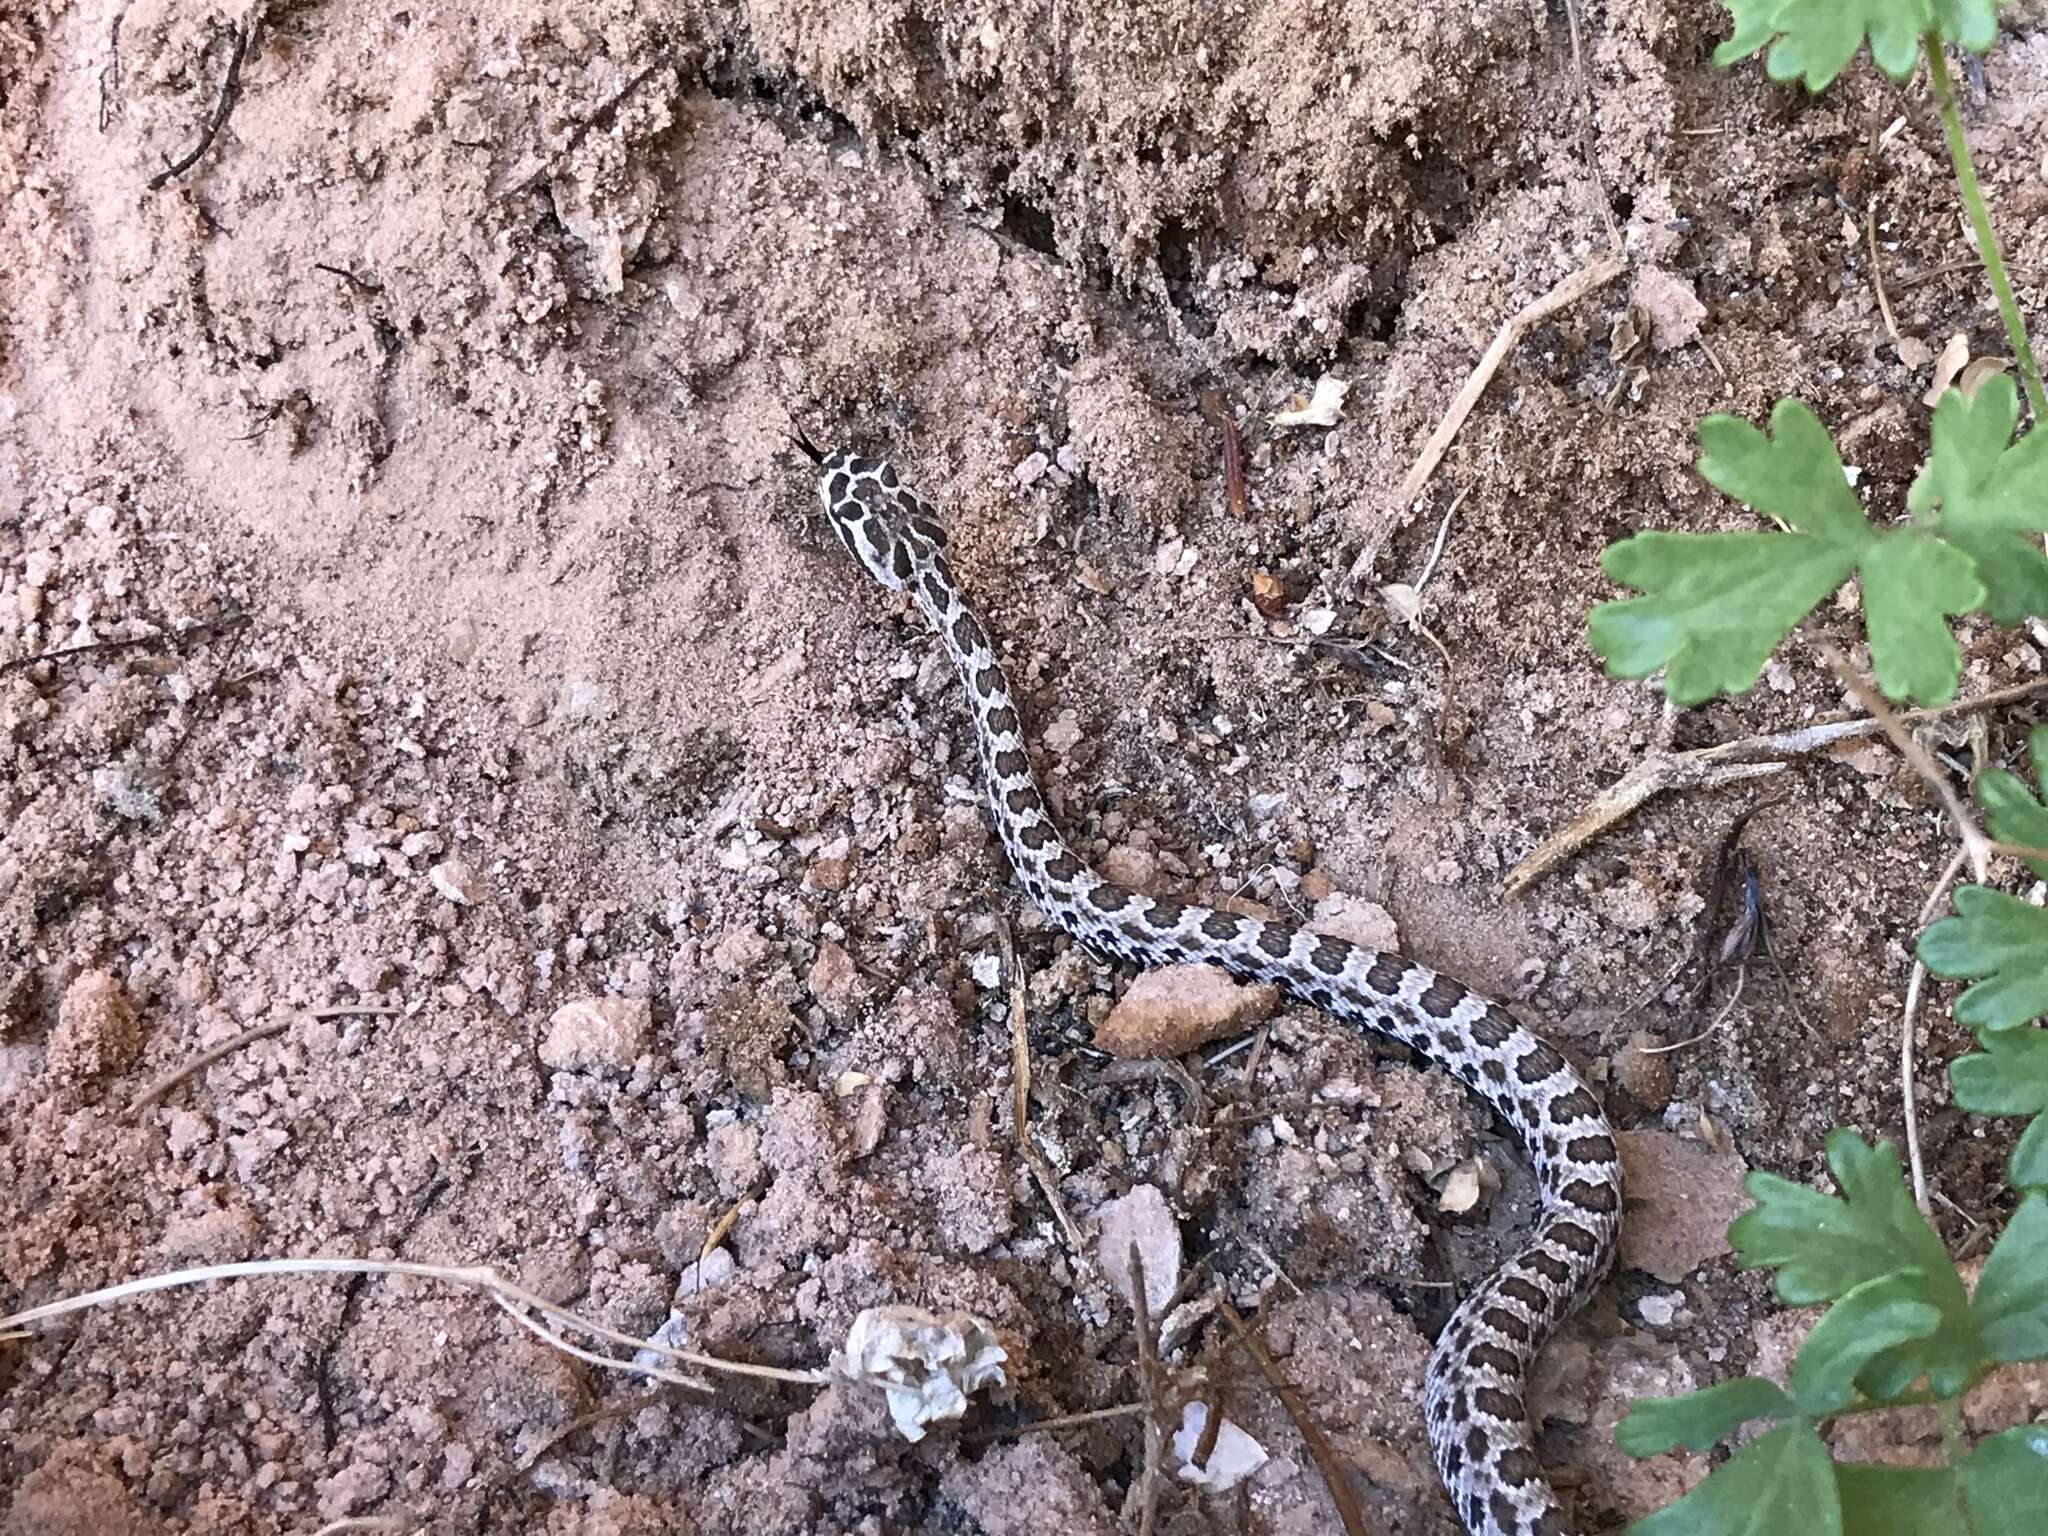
(1990, 495)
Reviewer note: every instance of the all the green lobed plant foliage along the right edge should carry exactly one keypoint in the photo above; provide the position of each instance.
(1902, 1326)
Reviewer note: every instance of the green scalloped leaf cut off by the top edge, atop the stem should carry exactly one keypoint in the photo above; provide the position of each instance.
(1816, 40)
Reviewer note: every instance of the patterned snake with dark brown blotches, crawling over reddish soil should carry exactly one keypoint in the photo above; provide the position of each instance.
(1478, 1375)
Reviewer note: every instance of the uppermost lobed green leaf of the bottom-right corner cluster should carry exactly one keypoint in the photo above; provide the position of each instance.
(1828, 1246)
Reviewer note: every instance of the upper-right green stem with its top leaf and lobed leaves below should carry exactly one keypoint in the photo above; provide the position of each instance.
(1717, 603)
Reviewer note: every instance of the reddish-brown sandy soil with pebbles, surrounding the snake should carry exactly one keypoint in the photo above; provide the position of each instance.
(447, 398)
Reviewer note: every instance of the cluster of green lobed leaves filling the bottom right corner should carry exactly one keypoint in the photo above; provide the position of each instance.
(1902, 1328)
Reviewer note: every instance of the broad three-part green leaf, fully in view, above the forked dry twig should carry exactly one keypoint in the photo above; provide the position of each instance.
(1715, 605)
